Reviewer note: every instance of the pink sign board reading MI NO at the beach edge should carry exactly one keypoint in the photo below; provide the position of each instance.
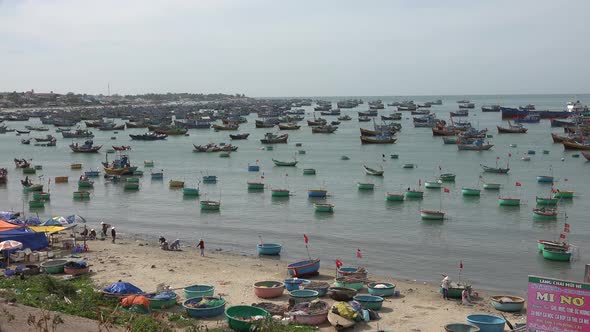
(558, 305)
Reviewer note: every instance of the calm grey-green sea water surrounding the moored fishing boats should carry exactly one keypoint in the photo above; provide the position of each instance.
(496, 244)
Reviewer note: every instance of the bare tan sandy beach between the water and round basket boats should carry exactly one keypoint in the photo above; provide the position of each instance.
(145, 265)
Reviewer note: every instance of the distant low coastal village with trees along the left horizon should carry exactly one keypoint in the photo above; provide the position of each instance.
(51, 99)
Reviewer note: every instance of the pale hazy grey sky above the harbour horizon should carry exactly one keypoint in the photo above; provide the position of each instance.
(296, 48)
